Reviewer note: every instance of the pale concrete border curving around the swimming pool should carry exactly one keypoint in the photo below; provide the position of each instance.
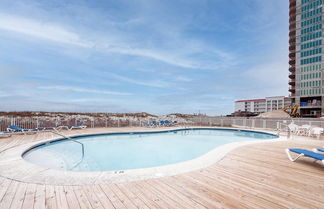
(13, 166)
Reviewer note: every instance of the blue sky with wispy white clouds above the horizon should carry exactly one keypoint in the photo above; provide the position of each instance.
(156, 56)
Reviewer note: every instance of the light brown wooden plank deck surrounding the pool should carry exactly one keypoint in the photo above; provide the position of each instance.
(254, 176)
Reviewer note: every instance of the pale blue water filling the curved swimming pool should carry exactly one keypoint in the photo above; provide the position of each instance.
(137, 150)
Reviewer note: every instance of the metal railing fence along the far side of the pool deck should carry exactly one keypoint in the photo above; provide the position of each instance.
(199, 120)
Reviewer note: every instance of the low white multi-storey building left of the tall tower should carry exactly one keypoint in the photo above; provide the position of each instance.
(262, 105)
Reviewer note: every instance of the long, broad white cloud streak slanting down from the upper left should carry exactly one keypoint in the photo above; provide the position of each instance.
(115, 43)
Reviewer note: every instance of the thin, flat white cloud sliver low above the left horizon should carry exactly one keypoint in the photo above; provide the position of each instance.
(81, 90)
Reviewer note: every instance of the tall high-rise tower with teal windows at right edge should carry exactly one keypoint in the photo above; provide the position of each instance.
(306, 65)
